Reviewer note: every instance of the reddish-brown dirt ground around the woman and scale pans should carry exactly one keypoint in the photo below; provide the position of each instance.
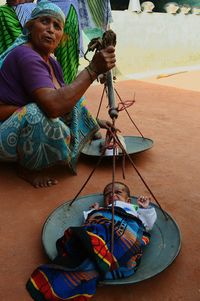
(168, 115)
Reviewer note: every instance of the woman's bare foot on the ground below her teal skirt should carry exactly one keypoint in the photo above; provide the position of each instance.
(36, 178)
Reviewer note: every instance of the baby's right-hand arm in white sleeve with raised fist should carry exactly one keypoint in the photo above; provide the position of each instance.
(146, 212)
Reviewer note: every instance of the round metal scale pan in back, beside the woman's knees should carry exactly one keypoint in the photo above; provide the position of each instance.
(134, 144)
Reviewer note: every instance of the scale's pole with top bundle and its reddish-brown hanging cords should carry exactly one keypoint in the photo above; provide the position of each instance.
(109, 38)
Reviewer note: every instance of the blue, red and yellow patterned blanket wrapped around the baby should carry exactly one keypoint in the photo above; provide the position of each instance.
(85, 257)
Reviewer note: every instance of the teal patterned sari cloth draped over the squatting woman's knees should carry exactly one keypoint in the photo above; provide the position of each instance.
(36, 142)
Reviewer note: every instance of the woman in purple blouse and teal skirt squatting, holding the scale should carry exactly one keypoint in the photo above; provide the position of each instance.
(43, 121)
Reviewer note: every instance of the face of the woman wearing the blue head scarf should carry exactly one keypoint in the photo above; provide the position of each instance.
(46, 33)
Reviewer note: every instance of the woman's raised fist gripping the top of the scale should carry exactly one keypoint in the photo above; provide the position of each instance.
(103, 60)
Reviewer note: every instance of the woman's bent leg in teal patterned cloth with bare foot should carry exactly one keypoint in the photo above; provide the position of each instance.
(35, 142)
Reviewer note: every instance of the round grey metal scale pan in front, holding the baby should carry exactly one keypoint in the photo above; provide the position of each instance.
(164, 246)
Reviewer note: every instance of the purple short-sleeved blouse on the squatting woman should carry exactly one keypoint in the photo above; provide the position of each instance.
(24, 71)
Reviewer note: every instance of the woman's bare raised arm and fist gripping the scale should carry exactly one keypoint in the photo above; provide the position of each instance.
(57, 102)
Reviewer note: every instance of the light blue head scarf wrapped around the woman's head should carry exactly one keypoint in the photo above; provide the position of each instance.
(44, 8)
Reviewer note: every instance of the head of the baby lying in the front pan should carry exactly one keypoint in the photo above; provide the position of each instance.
(120, 194)
